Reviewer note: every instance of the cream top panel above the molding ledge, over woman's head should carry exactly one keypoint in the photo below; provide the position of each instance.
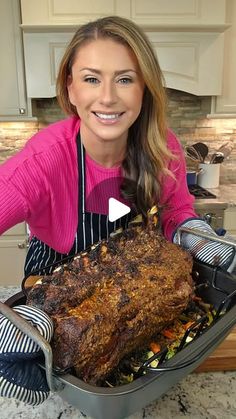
(146, 13)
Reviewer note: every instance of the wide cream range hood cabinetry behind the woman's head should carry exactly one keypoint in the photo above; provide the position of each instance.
(187, 35)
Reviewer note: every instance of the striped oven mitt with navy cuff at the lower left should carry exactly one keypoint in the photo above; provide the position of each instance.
(20, 375)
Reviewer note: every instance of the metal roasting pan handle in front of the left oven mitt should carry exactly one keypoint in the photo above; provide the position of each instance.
(32, 333)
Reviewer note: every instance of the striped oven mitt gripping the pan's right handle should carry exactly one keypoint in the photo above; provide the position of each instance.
(207, 251)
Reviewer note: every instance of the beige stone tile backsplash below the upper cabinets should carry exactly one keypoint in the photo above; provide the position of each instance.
(187, 118)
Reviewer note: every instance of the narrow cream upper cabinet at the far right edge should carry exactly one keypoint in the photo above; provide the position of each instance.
(225, 104)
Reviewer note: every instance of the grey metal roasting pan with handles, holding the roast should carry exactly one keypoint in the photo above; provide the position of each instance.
(215, 286)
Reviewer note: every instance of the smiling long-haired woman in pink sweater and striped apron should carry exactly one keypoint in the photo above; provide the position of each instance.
(115, 144)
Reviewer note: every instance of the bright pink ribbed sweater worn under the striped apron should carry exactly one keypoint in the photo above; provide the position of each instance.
(39, 185)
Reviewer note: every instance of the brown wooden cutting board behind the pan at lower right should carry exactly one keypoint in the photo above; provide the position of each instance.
(223, 358)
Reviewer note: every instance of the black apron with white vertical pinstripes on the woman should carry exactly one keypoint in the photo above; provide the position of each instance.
(42, 259)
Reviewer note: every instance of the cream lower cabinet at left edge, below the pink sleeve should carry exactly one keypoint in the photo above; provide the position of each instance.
(13, 249)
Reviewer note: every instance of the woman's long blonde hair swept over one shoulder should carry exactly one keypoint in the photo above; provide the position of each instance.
(147, 153)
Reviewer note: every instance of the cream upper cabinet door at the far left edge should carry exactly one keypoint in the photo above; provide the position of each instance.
(12, 98)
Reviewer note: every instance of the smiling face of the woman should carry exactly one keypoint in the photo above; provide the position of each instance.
(106, 88)
